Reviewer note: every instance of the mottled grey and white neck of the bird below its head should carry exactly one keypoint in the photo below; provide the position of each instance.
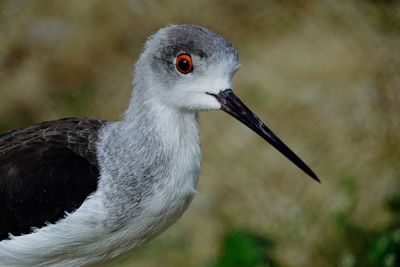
(157, 151)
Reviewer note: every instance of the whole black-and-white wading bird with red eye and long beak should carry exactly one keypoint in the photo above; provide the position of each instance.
(77, 191)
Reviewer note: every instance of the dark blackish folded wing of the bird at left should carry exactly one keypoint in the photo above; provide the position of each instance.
(46, 170)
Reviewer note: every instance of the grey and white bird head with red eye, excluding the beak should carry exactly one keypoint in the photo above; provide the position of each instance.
(187, 63)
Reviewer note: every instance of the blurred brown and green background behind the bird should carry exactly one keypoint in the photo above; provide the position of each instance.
(324, 75)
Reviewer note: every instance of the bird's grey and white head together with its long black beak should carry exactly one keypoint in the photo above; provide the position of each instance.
(190, 68)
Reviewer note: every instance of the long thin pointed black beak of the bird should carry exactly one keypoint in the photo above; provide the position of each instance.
(232, 105)
